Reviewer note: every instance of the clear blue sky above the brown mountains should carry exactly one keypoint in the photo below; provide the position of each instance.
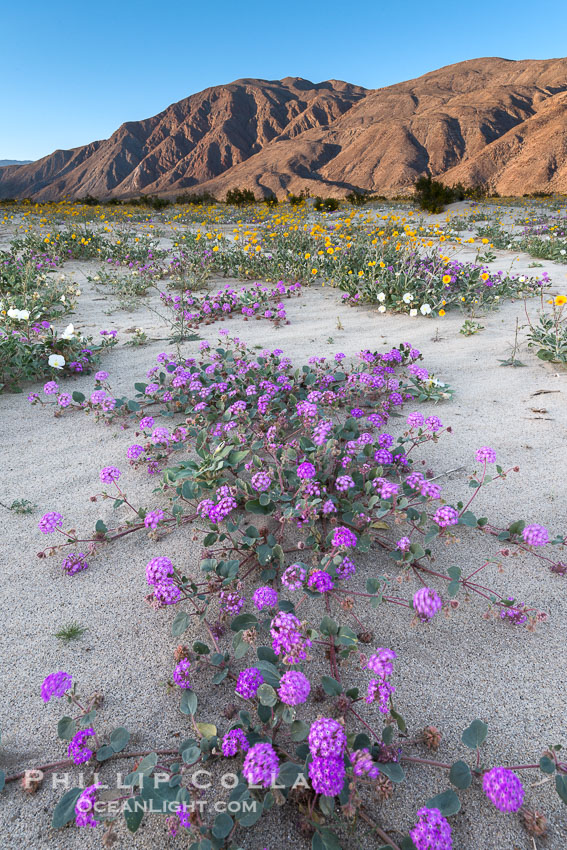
(72, 72)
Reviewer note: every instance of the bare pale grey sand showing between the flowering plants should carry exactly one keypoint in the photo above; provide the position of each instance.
(448, 673)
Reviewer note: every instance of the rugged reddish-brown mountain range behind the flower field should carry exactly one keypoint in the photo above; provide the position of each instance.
(495, 122)
